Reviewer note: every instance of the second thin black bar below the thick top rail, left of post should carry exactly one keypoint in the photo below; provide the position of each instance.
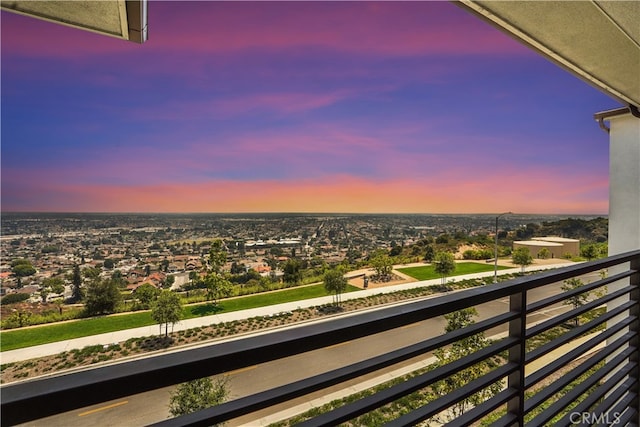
(397, 391)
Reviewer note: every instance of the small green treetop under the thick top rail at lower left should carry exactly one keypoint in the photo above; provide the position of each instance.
(198, 394)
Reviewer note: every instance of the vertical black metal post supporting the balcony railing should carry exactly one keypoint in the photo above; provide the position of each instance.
(517, 329)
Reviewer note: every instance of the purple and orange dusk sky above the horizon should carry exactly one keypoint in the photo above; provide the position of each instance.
(395, 107)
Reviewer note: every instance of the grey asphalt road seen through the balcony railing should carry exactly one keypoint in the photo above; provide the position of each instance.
(152, 406)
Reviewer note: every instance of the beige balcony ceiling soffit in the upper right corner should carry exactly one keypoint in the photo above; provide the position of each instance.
(597, 40)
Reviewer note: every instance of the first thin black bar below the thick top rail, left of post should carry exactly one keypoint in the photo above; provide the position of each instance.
(255, 402)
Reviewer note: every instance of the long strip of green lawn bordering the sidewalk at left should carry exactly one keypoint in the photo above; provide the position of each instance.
(11, 340)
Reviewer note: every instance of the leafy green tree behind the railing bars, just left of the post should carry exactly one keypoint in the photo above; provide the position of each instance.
(459, 349)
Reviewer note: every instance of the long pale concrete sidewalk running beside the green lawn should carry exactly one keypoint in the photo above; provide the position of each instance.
(119, 336)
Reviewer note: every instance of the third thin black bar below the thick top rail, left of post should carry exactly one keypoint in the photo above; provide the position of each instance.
(432, 408)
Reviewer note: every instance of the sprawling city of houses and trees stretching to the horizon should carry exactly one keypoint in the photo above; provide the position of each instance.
(146, 248)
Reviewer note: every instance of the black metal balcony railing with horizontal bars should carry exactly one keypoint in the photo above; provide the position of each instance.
(610, 389)
